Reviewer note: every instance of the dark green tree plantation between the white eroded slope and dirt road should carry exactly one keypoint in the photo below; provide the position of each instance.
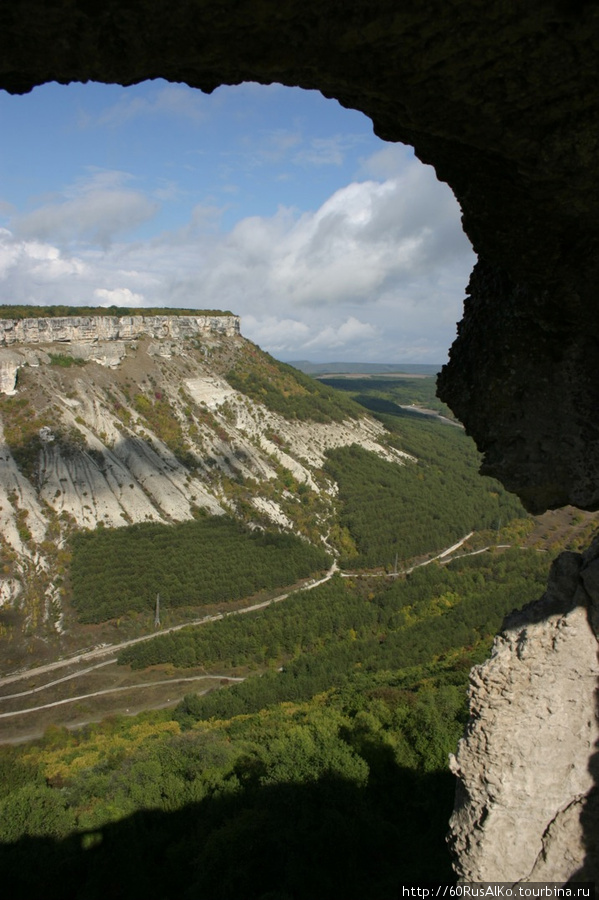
(212, 559)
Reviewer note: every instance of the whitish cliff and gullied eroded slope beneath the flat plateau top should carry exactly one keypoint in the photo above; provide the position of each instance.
(132, 420)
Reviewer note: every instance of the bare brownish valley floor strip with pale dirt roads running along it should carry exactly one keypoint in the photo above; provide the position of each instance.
(84, 693)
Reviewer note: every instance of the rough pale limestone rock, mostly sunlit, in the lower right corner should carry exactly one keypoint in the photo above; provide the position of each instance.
(525, 806)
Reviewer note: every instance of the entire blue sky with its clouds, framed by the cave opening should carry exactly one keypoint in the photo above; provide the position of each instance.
(272, 202)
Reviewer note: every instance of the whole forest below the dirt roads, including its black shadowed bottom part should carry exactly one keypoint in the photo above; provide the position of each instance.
(326, 779)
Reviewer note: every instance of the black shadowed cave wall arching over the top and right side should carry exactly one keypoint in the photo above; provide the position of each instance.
(501, 98)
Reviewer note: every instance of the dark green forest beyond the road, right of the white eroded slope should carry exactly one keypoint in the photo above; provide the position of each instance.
(397, 512)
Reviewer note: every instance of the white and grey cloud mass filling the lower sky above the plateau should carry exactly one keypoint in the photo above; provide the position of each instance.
(376, 273)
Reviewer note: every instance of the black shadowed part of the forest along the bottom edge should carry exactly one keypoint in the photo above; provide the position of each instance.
(326, 839)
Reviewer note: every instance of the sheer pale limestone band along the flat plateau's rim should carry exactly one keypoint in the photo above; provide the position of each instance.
(90, 329)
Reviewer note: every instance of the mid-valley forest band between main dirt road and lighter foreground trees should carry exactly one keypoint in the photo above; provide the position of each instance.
(322, 635)
